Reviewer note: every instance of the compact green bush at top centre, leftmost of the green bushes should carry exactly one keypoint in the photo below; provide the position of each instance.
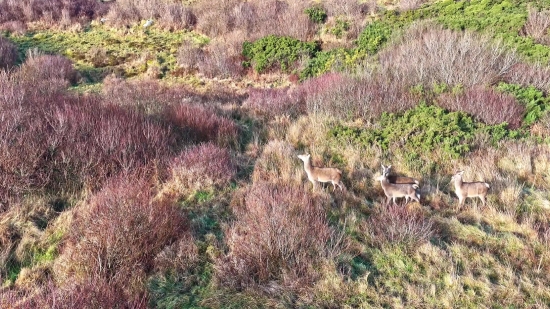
(275, 51)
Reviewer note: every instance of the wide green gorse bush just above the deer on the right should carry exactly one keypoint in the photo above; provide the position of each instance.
(423, 129)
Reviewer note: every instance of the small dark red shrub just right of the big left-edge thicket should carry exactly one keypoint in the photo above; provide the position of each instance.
(197, 123)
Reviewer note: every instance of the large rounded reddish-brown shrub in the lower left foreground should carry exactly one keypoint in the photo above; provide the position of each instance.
(120, 232)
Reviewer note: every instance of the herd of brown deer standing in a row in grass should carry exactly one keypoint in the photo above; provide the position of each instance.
(395, 186)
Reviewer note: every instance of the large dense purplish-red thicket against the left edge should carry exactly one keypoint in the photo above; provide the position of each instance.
(59, 141)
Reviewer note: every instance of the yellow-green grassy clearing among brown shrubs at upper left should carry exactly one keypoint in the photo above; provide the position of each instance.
(98, 48)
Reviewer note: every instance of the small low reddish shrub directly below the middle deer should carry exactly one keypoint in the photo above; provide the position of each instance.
(396, 225)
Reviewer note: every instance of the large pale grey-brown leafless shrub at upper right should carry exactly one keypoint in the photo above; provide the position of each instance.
(429, 54)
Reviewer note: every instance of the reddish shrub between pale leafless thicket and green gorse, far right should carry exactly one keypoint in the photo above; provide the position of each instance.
(485, 104)
